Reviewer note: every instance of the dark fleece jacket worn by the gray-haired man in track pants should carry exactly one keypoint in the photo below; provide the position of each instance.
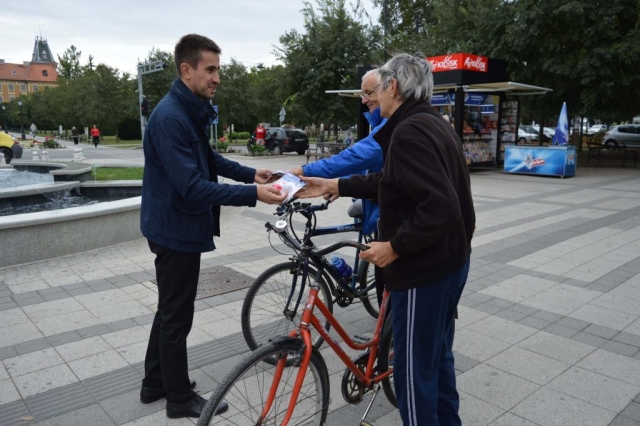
(424, 192)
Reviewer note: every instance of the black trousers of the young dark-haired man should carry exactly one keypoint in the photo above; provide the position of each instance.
(166, 360)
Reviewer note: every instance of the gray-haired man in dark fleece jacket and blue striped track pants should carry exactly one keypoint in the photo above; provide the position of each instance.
(427, 221)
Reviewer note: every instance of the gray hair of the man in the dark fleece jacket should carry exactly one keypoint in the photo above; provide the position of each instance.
(413, 75)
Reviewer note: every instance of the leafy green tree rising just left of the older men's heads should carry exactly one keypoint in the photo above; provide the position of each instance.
(325, 57)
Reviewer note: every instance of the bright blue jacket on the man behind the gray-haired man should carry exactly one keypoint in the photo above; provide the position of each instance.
(363, 157)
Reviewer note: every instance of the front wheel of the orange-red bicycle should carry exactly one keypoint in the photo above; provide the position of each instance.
(247, 388)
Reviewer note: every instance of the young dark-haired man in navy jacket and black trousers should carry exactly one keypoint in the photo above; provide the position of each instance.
(180, 214)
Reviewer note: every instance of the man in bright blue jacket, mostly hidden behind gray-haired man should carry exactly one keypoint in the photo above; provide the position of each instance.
(365, 156)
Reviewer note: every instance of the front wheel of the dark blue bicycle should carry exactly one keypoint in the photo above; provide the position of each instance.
(265, 313)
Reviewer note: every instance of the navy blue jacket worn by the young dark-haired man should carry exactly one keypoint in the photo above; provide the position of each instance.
(181, 196)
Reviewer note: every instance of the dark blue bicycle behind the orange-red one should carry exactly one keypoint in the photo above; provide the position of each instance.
(272, 306)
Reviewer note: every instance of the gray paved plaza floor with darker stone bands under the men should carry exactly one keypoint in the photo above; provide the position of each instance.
(548, 331)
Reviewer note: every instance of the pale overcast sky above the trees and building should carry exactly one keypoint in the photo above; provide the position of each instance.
(119, 32)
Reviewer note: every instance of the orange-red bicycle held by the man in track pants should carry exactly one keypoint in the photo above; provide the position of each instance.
(294, 390)
